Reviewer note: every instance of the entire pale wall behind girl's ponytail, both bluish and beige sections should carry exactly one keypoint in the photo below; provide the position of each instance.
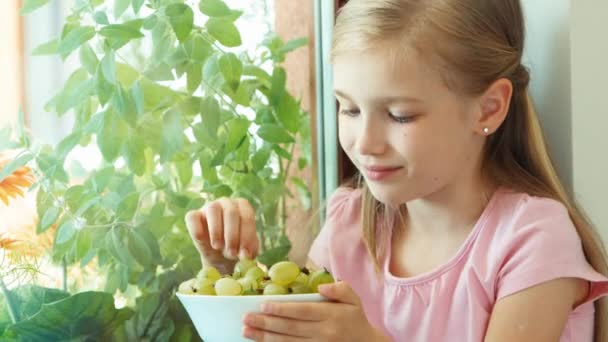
(567, 51)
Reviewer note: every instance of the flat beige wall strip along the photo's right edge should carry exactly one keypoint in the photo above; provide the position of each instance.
(589, 108)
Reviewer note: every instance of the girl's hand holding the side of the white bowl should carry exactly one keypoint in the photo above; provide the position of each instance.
(342, 319)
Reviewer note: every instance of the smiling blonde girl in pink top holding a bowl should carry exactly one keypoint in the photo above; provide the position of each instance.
(459, 228)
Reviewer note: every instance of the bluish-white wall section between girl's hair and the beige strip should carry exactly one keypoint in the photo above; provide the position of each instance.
(547, 54)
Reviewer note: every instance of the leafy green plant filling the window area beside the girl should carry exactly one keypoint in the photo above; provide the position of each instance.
(180, 117)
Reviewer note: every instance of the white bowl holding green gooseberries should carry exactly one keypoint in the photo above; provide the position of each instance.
(220, 318)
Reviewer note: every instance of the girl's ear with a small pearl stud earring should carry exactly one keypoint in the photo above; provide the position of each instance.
(494, 106)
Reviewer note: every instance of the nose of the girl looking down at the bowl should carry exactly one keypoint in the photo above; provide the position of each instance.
(370, 136)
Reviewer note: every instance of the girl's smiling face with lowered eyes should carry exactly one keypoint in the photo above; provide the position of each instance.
(408, 135)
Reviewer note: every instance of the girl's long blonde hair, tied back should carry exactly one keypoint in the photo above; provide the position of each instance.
(473, 44)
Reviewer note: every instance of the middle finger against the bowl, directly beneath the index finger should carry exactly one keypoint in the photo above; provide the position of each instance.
(281, 326)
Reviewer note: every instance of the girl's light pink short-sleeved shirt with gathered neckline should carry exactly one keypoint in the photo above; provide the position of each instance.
(518, 242)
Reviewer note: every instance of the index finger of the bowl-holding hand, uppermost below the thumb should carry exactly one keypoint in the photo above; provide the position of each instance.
(301, 311)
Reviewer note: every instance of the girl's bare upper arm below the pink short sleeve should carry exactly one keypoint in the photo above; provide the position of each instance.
(537, 314)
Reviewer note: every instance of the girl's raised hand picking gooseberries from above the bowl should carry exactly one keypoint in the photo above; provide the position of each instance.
(222, 231)
